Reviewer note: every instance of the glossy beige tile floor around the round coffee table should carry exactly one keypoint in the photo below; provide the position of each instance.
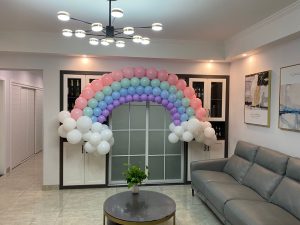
(23, 202)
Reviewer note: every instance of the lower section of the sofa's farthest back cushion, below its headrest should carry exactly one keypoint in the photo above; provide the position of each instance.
(237, 167)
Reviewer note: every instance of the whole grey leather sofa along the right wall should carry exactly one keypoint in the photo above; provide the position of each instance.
(256, 186)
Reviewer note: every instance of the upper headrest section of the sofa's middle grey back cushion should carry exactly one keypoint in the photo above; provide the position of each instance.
(271, 160)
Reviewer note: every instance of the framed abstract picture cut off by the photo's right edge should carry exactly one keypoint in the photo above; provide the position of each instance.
(289, 98)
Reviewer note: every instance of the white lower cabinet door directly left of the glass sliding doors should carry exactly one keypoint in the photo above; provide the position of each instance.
(95, 168)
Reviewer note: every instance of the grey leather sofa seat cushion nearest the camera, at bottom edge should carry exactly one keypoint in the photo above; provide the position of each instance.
(247, 212)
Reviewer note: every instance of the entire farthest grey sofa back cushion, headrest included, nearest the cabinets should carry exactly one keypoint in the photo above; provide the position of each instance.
(238, 165)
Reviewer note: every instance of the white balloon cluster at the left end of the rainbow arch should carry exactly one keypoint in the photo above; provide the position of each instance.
(98, 136)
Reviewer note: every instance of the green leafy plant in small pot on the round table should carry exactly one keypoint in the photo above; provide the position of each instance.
(134, 176)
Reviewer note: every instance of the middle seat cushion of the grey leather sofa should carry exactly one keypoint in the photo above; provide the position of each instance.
(219, 193)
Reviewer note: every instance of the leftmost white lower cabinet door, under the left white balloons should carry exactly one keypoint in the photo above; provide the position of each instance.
(73, 164)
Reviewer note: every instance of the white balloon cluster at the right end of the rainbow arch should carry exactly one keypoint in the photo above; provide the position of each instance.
(193, 129)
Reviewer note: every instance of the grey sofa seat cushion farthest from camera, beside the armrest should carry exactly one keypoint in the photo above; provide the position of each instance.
(201, 177)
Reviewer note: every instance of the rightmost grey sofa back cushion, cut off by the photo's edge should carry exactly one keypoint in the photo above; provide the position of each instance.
(287, 194)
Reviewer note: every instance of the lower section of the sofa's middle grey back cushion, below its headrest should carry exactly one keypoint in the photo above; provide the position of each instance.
(262, 180)
